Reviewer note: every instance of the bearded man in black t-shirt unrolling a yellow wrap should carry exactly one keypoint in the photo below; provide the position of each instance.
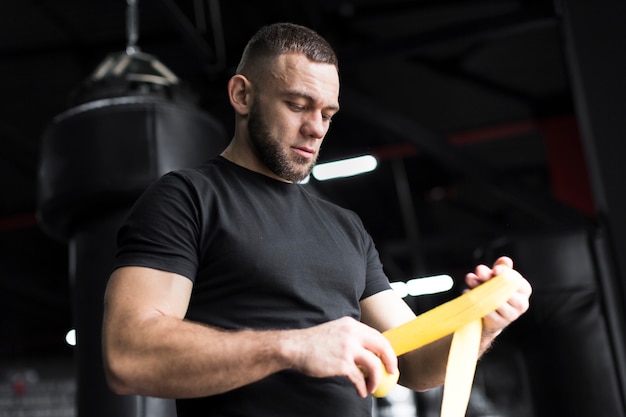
(237, 292)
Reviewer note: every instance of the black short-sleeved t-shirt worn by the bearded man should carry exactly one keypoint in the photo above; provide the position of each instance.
(263, 254)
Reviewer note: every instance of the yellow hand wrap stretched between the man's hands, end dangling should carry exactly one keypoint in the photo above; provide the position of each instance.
(463, 317)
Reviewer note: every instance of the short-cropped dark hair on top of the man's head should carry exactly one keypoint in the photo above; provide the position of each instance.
(283, 38)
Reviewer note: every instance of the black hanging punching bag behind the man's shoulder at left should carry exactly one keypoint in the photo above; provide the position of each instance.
(129, 125)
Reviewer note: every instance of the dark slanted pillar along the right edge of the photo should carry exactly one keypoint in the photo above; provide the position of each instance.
(594, 34)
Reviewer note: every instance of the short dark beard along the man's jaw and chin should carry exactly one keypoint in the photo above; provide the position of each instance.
(287, 165)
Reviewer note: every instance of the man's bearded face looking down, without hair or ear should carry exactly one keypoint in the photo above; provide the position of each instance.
(291, 114)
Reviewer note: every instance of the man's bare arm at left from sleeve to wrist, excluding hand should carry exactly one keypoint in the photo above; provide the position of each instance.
(150, 349)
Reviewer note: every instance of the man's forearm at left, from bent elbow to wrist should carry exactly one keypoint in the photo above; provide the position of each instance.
(167, 357)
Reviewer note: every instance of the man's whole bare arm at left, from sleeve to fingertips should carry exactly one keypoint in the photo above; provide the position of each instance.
(150, 349)
